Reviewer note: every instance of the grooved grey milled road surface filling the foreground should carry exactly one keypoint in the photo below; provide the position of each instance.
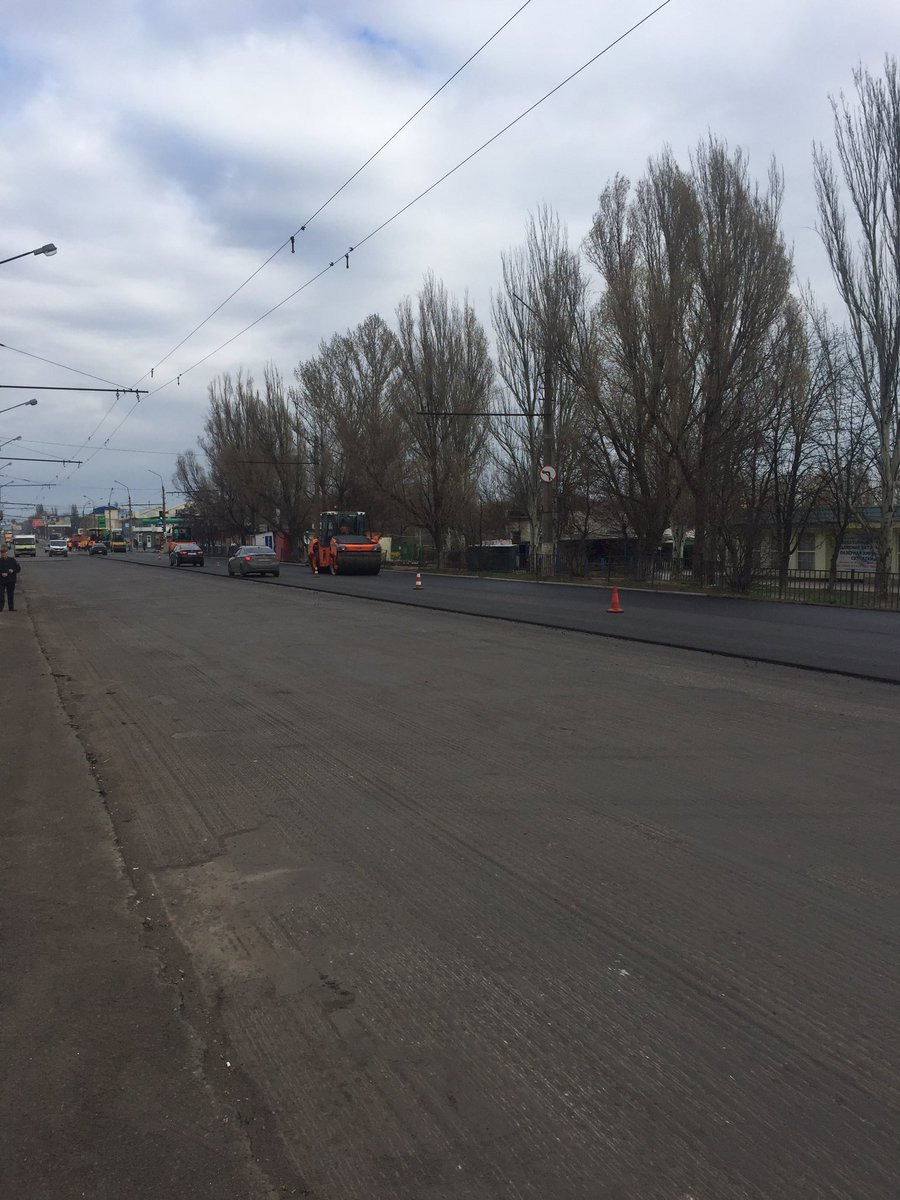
(494, 911)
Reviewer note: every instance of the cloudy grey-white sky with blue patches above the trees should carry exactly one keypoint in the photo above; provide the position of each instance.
(169, 148)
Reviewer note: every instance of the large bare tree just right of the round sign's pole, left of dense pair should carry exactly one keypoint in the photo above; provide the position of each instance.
(632, 355)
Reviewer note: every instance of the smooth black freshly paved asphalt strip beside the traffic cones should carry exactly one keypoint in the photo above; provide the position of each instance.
(856, 643)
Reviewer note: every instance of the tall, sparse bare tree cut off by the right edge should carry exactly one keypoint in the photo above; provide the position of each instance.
(868, 274)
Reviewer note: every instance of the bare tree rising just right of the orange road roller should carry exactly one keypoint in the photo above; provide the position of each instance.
(446, 382)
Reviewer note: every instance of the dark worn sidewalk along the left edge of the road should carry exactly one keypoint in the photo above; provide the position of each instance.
(104, 1091)
